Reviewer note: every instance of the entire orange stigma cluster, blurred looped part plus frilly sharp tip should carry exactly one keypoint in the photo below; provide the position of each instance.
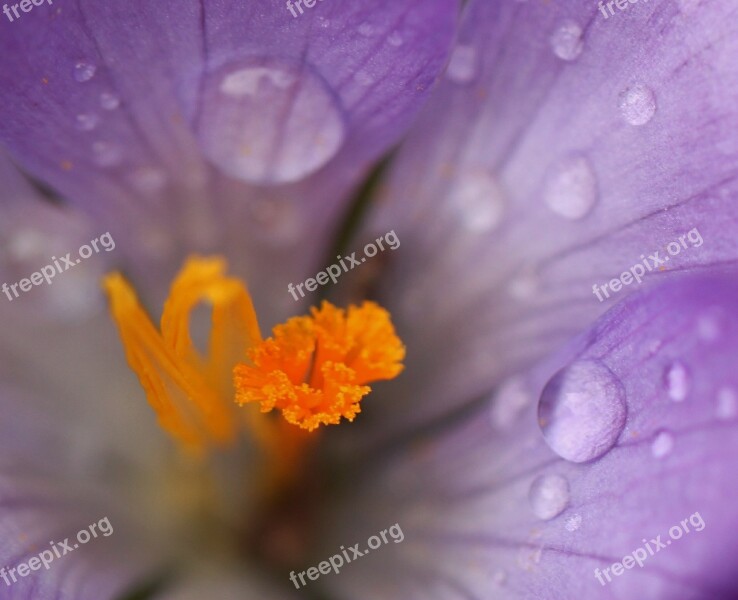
(314, 369)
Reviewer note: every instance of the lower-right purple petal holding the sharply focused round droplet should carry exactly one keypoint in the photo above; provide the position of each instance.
(492, 510)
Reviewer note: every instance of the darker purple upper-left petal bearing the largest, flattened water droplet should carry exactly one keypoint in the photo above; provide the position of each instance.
(164, 119)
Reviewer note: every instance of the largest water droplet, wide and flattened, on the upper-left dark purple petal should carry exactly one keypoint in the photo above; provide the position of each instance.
(269, 122)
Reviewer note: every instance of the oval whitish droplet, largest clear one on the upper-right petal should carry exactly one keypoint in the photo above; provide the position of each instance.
(570, 188)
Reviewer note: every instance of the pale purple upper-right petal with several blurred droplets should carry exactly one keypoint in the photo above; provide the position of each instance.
(549, 162)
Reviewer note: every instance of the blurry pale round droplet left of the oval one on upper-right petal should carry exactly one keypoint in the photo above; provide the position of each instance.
(477, 200)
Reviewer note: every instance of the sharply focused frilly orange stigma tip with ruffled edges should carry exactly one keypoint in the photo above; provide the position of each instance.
(314, 369)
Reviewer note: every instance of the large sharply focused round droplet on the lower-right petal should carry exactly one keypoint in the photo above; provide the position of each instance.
(582, 411)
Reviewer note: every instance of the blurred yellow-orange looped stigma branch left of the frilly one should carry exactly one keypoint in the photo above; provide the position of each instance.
(192, 395)
